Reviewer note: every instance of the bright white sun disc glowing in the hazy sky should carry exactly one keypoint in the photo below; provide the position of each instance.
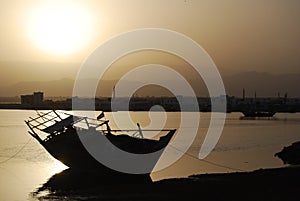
(59, 27)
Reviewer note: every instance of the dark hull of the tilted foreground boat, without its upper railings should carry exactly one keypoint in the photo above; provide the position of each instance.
(68, 148)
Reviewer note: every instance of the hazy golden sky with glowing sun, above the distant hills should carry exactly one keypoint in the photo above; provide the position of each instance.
(240, 35)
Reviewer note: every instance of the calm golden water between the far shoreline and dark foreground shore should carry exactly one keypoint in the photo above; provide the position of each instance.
(245, 145)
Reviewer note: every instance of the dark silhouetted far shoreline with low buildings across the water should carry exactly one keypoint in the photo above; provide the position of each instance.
(250, 107)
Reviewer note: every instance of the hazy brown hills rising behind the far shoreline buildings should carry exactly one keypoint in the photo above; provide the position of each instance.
(264, 84)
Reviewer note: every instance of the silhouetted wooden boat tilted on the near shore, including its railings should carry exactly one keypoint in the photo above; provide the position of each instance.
(61, 133)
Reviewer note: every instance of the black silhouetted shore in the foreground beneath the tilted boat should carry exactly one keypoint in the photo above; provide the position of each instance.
(263, 184)
